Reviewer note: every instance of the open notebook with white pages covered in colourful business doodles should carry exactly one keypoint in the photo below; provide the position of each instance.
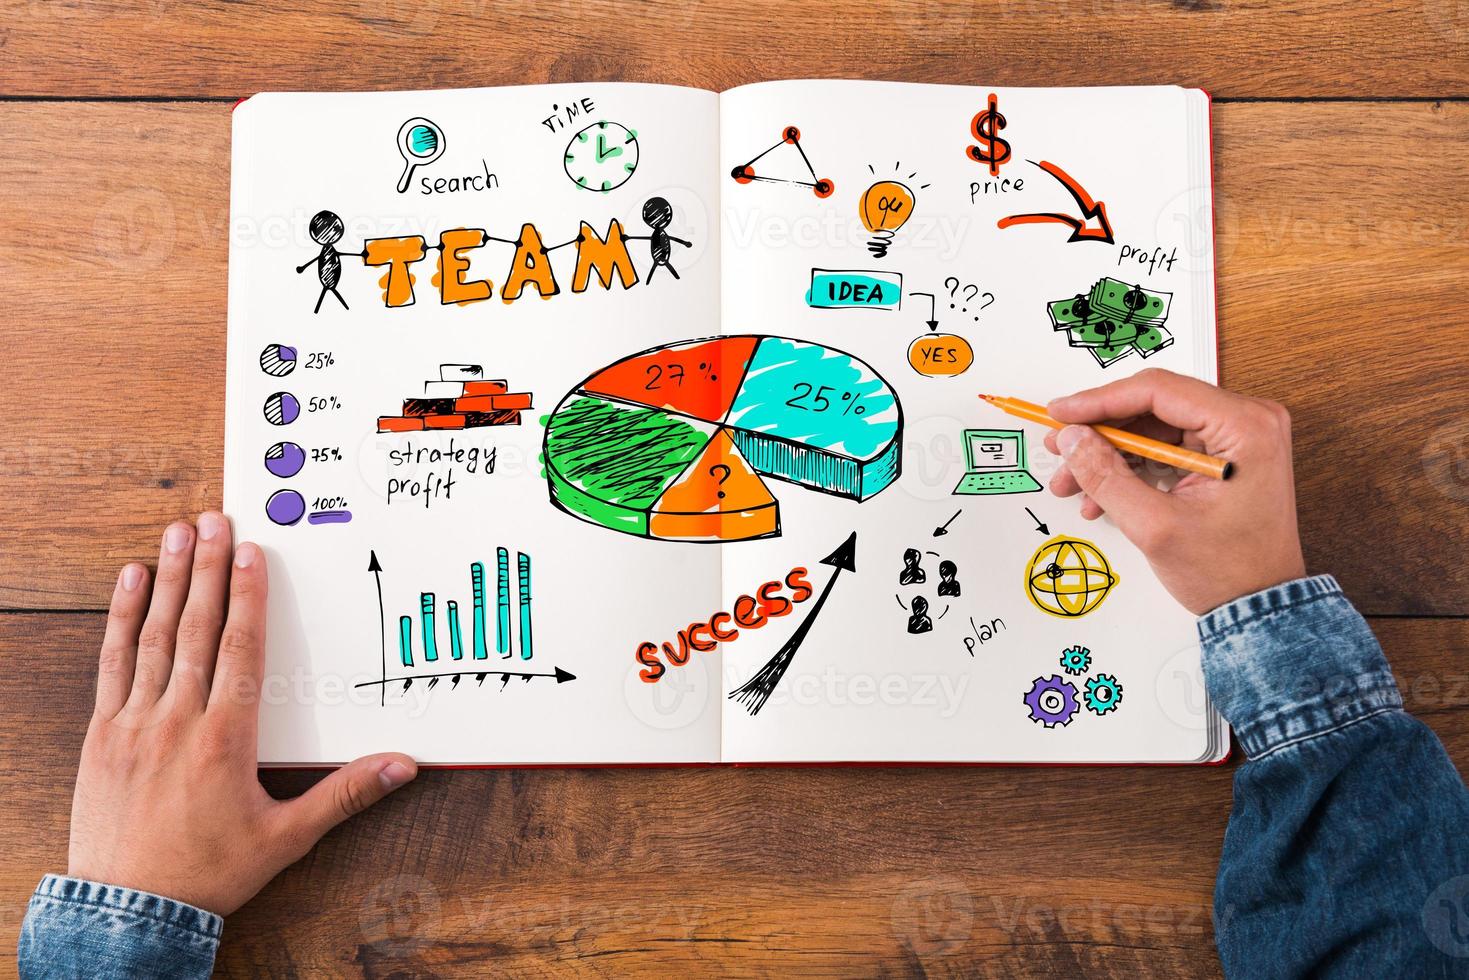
(634, 424)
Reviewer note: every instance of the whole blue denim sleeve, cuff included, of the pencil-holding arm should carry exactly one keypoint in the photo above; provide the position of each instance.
(1348, 850)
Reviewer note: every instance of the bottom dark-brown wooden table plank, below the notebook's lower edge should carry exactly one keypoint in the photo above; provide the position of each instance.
(738, 872)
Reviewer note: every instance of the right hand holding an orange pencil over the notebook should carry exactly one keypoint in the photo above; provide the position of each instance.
(1210, 541)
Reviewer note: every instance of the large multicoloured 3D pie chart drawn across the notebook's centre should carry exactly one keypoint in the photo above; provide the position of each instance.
(678, 443)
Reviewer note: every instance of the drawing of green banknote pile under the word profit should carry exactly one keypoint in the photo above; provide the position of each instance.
(1114, 320)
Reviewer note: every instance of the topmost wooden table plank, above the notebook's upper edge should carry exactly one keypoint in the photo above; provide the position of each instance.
(1235, 49)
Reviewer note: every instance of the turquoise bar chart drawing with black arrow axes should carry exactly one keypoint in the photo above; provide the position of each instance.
(513, 633)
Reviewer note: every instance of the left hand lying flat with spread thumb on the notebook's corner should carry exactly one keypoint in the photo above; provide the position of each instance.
(168, 800)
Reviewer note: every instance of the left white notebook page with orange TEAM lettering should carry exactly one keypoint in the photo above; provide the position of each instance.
(594, 593)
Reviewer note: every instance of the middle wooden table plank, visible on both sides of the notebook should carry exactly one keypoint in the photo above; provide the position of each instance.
(1343, 243)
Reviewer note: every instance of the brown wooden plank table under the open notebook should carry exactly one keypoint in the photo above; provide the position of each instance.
(1342, 158)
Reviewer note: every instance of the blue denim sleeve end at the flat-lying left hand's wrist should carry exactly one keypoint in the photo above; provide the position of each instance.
(104, 932)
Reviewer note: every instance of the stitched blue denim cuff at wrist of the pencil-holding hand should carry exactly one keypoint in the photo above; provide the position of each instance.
(1293, 662)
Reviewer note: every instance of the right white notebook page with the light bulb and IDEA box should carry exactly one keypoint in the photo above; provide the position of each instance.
(863, 685)
